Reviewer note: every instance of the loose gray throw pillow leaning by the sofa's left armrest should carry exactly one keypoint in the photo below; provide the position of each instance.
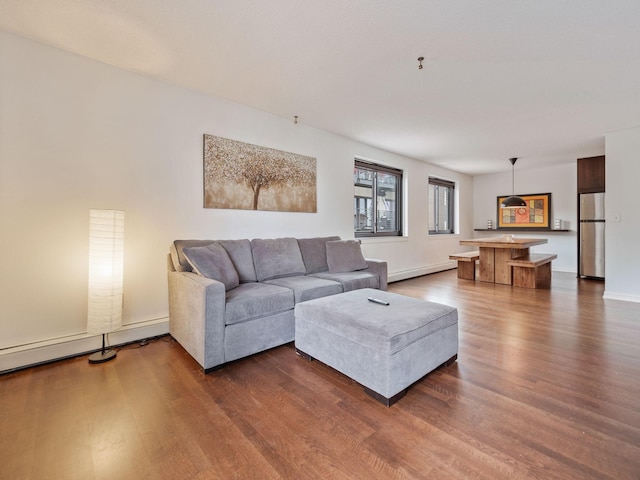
(212, 261)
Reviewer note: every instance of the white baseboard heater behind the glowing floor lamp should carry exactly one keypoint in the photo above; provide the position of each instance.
(58, 348)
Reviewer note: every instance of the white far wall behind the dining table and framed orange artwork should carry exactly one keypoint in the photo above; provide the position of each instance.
(560, 181)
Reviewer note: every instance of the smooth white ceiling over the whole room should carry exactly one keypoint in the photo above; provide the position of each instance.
(542, 80)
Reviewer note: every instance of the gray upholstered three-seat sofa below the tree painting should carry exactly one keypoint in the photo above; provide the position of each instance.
(232, 298)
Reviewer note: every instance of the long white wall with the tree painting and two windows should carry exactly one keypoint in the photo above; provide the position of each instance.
(77, 134)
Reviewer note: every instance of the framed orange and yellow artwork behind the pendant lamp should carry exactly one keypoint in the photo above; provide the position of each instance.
(534, 215)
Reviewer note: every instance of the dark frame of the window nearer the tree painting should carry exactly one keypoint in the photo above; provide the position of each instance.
(398, 204)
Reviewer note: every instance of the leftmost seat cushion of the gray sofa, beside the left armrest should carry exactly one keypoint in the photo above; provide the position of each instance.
(253, 300)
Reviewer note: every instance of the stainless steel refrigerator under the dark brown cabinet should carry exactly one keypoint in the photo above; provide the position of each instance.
(591, 261)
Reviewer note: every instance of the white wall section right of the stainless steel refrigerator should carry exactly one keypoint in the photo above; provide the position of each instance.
(622, 265)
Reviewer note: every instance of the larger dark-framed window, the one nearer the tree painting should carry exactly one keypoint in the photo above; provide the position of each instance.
(377, 201)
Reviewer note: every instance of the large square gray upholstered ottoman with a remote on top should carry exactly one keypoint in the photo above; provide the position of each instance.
(385, 348)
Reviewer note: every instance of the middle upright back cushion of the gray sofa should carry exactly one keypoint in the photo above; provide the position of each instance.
(276, 258)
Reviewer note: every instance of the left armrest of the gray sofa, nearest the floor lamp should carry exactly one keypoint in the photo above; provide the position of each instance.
(196, 316)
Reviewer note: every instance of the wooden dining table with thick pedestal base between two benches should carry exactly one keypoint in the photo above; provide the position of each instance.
(496, 251)
